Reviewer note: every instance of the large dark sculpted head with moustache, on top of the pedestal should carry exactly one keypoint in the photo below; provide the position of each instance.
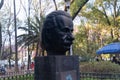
(57, 33)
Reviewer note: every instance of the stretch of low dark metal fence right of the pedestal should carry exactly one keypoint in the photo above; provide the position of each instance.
(99, 76)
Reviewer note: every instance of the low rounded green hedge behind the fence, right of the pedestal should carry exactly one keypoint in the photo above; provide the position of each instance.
(100, 67)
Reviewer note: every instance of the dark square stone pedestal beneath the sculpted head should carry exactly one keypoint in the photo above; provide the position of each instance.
(57, 68)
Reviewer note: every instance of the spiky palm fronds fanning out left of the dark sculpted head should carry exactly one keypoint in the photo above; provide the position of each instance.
(34, 31)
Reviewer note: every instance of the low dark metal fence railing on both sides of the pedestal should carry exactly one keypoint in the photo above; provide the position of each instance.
(83, 76)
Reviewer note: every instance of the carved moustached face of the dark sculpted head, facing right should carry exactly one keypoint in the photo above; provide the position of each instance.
(63, 32)
